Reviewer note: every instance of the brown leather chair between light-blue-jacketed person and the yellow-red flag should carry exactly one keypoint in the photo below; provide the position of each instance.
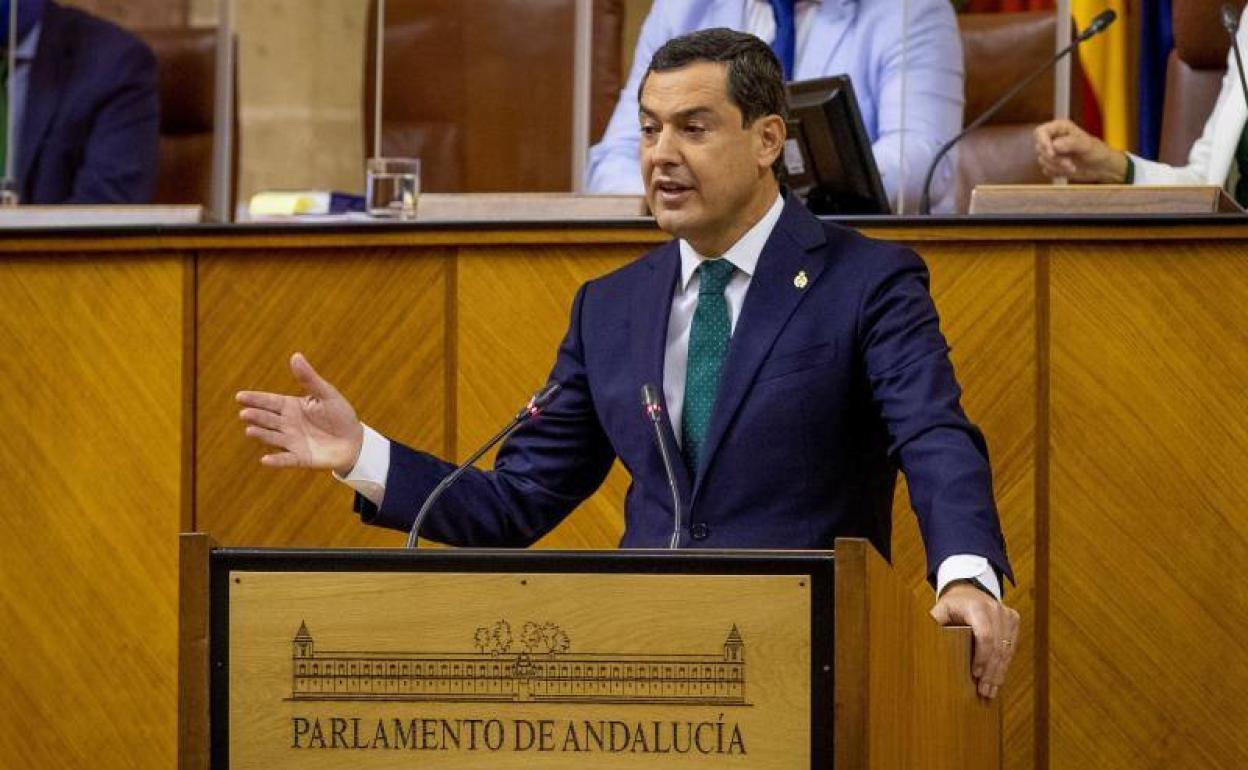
(999, 51)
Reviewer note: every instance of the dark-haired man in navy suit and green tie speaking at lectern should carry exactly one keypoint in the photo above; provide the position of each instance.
(801, 363)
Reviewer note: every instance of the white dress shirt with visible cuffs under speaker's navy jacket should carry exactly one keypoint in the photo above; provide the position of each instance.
(369, 476)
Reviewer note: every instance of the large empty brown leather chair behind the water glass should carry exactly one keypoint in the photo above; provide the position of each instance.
(482, 92)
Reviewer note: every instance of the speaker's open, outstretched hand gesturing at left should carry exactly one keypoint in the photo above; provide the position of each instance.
(319, 430)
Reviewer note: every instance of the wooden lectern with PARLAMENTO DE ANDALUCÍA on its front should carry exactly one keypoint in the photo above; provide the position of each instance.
(568, 660)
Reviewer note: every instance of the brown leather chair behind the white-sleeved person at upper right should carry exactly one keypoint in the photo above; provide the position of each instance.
(1194, 76)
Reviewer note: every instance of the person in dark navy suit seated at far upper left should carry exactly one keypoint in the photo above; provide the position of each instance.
(85, 109)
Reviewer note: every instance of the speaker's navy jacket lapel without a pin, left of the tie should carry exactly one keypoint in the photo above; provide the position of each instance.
(650, 313)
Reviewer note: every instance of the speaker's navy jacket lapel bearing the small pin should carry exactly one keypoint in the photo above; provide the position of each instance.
(771, 301)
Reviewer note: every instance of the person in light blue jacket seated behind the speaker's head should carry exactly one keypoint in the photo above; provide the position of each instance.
(865, 39)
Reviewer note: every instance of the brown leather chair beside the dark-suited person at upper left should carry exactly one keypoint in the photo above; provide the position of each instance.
(187, 64)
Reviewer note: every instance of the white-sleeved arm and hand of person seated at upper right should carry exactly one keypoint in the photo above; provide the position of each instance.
(1064, 149)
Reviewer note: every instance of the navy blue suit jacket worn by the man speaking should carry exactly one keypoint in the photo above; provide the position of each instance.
(826, 391)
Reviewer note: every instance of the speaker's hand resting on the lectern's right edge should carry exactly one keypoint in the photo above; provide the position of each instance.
(995, 627)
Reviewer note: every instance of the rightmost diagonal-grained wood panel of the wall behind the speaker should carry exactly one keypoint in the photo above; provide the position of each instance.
(1149, 494)
